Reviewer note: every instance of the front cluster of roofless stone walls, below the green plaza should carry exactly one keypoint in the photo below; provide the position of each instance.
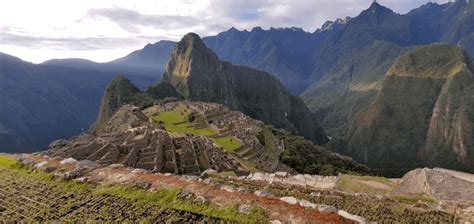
(151, 149)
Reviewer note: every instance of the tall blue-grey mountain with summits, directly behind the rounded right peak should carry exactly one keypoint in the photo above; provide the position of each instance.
(349, 65)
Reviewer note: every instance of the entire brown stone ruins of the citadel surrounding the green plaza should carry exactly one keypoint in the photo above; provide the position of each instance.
(130, 138)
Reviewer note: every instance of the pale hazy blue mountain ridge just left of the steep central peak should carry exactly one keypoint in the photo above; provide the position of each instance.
(147, 62)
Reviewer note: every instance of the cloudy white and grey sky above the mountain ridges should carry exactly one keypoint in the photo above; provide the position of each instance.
(103, 30)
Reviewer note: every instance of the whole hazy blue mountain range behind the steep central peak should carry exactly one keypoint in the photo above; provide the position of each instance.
(338, 69)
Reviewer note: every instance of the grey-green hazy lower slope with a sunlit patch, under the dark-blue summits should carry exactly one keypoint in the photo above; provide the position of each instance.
(353, 83)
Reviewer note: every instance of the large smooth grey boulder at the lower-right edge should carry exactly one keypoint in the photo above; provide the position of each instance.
(440, 183)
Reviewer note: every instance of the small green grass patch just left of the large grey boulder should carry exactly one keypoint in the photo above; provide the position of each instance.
(349, 183)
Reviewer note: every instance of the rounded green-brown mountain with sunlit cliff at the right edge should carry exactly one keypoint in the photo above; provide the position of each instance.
(422, 115)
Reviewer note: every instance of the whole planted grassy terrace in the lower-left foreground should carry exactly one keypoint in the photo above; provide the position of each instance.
(51, 199)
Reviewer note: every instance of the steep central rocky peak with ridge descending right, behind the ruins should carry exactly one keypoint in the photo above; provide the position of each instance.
(198, 74)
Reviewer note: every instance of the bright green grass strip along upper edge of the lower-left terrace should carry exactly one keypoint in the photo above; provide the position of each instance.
(167, 198)
